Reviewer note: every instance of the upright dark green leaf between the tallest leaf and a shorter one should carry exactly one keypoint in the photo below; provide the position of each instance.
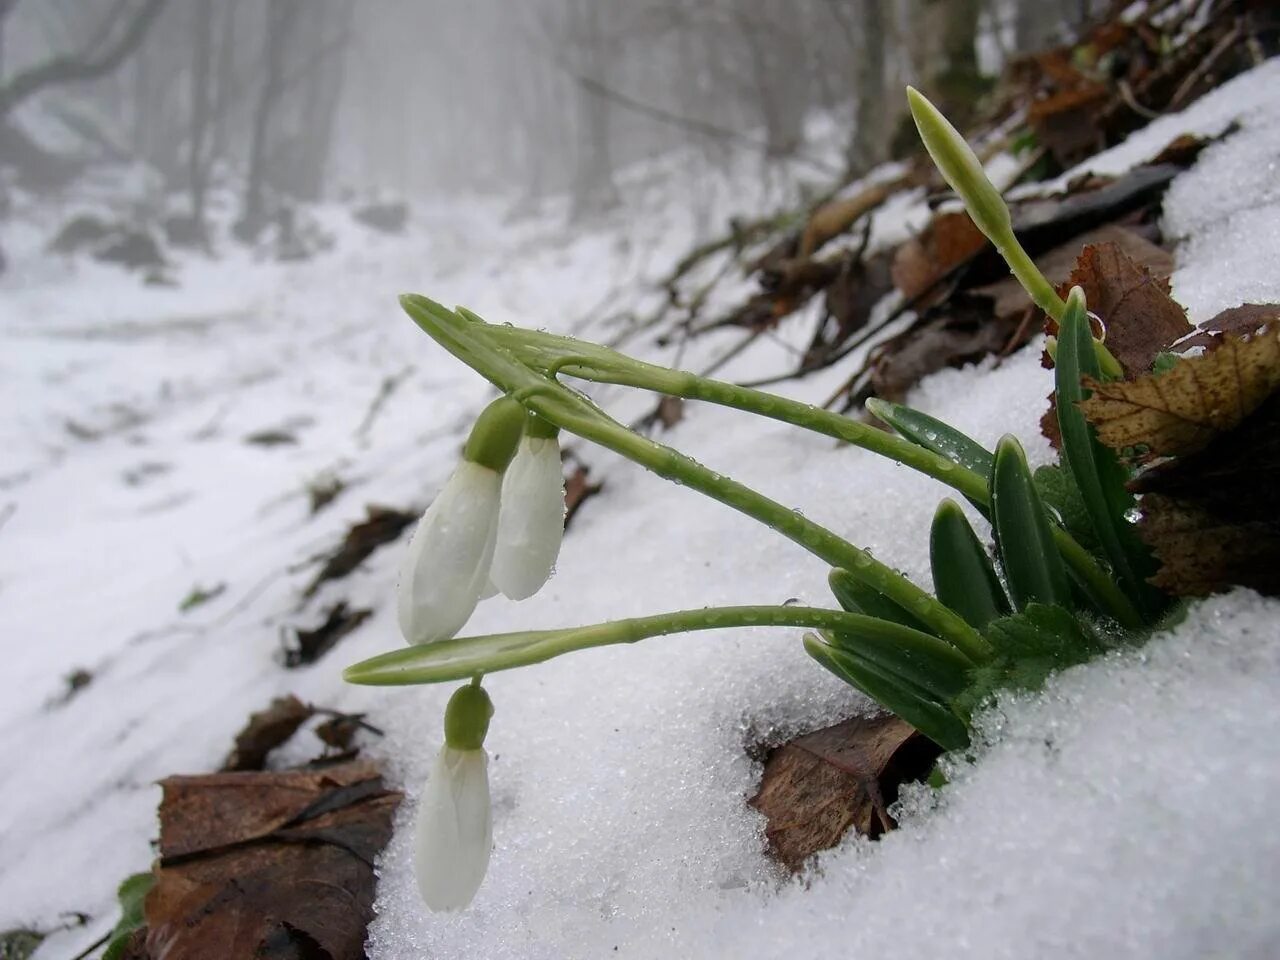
(1034, 568)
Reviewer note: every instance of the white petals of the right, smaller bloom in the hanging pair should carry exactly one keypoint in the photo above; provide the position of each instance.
(532, 523)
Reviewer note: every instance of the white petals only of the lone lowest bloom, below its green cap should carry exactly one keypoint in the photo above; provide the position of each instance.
(455, 830)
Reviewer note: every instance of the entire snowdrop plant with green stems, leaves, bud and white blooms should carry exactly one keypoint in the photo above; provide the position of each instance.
(932, 660)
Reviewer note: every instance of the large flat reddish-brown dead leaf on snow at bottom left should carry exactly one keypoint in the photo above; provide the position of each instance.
(268, 865)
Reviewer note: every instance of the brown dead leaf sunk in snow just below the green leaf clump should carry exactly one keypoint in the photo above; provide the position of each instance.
(820, 785)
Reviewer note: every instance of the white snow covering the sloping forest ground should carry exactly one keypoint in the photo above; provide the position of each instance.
(1128, 811)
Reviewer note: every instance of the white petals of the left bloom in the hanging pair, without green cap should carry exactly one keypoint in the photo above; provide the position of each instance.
(447, 565)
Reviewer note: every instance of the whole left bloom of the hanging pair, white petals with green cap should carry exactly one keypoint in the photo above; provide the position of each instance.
(446, 569)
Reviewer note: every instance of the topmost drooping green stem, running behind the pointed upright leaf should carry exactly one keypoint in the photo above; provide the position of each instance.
(602, 365)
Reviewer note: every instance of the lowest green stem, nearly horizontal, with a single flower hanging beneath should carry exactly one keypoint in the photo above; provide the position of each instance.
(461, 659)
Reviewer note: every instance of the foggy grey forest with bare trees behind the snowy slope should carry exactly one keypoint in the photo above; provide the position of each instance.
(291, 102)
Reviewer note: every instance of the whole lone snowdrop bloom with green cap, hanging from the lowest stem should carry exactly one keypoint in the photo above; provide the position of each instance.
(455, 821)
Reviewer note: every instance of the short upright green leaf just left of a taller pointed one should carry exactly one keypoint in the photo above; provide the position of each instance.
(963, 577)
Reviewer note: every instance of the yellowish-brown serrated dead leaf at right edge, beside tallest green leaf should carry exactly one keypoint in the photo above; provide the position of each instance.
(1183, 410)
